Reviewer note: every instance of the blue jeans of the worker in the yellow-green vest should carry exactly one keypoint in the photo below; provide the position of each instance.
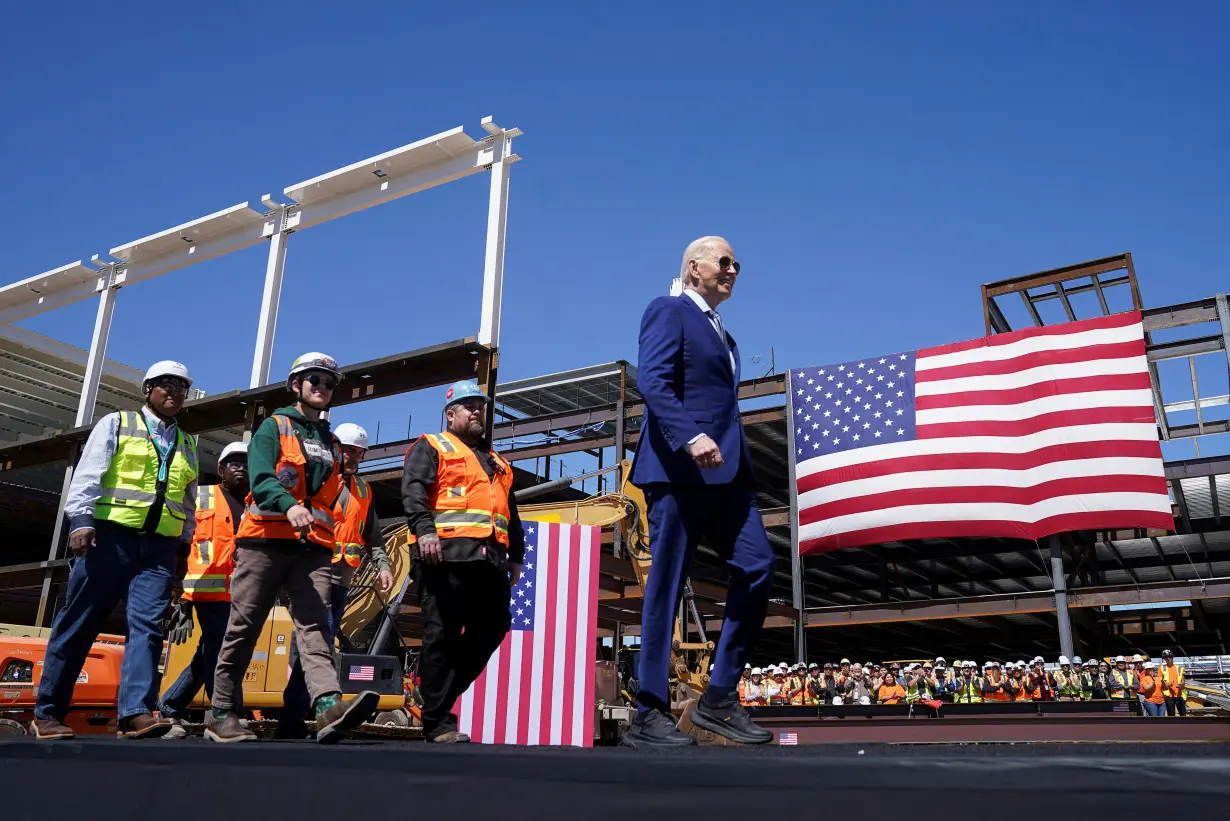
(124, 564)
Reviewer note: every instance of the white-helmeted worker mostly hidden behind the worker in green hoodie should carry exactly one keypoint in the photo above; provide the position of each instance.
(356, 529)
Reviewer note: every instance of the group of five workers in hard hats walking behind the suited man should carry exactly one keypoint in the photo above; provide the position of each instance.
(291, 516)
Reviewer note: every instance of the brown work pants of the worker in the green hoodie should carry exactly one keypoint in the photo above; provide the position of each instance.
(260, 574)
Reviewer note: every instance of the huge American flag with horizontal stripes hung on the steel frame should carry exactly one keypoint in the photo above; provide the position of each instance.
(1019, 435)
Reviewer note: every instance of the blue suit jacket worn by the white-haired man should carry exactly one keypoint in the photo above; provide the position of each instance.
(689, 388)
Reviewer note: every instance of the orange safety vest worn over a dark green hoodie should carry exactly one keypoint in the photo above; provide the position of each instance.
(270, 525)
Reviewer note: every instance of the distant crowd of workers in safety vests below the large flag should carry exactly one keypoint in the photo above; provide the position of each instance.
(1161, 690)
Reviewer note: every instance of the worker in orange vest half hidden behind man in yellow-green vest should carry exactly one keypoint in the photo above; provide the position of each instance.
(207, 584)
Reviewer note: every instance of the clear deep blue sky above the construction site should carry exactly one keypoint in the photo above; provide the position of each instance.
(871, 163)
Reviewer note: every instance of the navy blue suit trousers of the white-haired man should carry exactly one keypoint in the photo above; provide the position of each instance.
(680, 518)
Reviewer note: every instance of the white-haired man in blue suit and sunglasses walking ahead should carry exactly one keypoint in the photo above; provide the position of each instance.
(694, 467)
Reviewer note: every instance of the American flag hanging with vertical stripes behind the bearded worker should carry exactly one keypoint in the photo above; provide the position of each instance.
(539, 686)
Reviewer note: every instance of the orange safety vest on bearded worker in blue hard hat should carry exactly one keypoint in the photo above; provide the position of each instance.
(466, 503)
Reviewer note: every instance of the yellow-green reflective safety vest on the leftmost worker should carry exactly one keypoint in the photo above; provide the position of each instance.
(130, 487)
